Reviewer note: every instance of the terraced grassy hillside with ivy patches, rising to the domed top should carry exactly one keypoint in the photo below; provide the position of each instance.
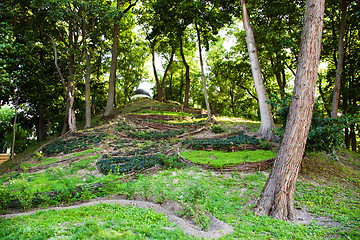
(159, 171)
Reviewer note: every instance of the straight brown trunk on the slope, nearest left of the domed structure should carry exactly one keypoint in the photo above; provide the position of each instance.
(112, 77)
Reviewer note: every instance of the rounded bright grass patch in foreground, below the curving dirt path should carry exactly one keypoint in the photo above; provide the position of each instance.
(103, 221)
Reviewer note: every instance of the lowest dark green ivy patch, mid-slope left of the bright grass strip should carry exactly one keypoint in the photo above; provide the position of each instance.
(126, 164)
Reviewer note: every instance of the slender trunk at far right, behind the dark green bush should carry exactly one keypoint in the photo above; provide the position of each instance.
(336, 94)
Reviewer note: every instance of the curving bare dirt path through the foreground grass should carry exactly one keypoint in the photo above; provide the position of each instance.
(216, 230)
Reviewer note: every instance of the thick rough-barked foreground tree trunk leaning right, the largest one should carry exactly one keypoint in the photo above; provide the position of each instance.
(277, 196)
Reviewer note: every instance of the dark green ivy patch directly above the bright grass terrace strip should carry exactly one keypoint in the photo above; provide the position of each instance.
(222, 144)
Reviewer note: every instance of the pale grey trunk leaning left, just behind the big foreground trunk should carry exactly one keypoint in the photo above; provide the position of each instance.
(267, 122)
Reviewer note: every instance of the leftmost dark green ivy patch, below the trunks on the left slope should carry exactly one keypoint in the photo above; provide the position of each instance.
(67, 146)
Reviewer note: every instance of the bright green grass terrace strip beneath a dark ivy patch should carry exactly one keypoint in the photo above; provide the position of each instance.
(221, 159)
